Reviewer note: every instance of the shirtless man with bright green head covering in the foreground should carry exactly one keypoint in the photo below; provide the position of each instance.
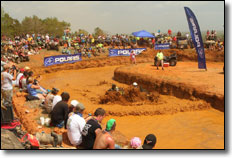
(104, 138)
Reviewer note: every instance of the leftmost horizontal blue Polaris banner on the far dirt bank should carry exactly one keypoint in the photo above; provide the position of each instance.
(61, 59)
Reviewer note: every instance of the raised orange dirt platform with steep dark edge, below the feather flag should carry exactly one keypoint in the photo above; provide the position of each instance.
(175, 83)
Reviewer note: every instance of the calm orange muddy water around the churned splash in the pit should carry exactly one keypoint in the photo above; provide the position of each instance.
(202, 129)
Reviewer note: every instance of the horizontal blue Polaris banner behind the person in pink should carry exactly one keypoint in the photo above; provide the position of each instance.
(125, 52)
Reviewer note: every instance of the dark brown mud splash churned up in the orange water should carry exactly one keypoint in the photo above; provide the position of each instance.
(129, 96)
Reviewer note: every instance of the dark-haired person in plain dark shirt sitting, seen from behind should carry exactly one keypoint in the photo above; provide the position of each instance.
(59, 114)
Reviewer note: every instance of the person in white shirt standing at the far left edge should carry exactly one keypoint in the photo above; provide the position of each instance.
(7, 85)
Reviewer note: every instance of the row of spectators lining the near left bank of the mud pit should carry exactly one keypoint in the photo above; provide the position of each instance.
(83, 132)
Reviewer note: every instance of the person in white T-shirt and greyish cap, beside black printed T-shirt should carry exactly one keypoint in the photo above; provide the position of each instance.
(75, 124)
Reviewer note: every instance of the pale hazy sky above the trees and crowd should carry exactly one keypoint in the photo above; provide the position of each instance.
(122, 16)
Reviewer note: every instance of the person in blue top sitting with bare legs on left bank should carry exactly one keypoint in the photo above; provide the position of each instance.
(31, 89)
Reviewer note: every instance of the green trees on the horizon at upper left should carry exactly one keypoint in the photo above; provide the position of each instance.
(11, 27)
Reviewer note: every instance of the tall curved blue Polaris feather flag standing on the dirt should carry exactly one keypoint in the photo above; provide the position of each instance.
(196, 36)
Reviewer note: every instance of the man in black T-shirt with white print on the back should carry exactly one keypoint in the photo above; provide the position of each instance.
(91, 129)
